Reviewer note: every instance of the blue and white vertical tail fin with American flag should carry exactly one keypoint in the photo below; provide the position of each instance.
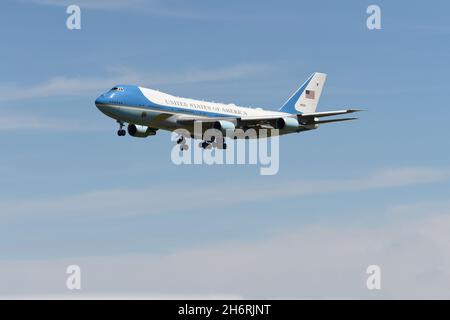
(305, 99)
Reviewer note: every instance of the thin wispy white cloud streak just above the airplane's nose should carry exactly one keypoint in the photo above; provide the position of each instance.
(75, 86)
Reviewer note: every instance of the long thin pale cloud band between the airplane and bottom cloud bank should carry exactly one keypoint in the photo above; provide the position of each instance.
(131, 201)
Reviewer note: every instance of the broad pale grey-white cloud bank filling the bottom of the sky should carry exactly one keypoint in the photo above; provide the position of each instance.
(310, 261)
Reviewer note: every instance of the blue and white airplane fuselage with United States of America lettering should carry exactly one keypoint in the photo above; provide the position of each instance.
(158, 110)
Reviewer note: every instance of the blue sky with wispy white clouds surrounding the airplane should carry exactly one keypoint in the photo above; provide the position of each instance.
(369, 192)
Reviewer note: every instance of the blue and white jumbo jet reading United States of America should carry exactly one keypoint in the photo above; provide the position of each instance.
(146, 111)
